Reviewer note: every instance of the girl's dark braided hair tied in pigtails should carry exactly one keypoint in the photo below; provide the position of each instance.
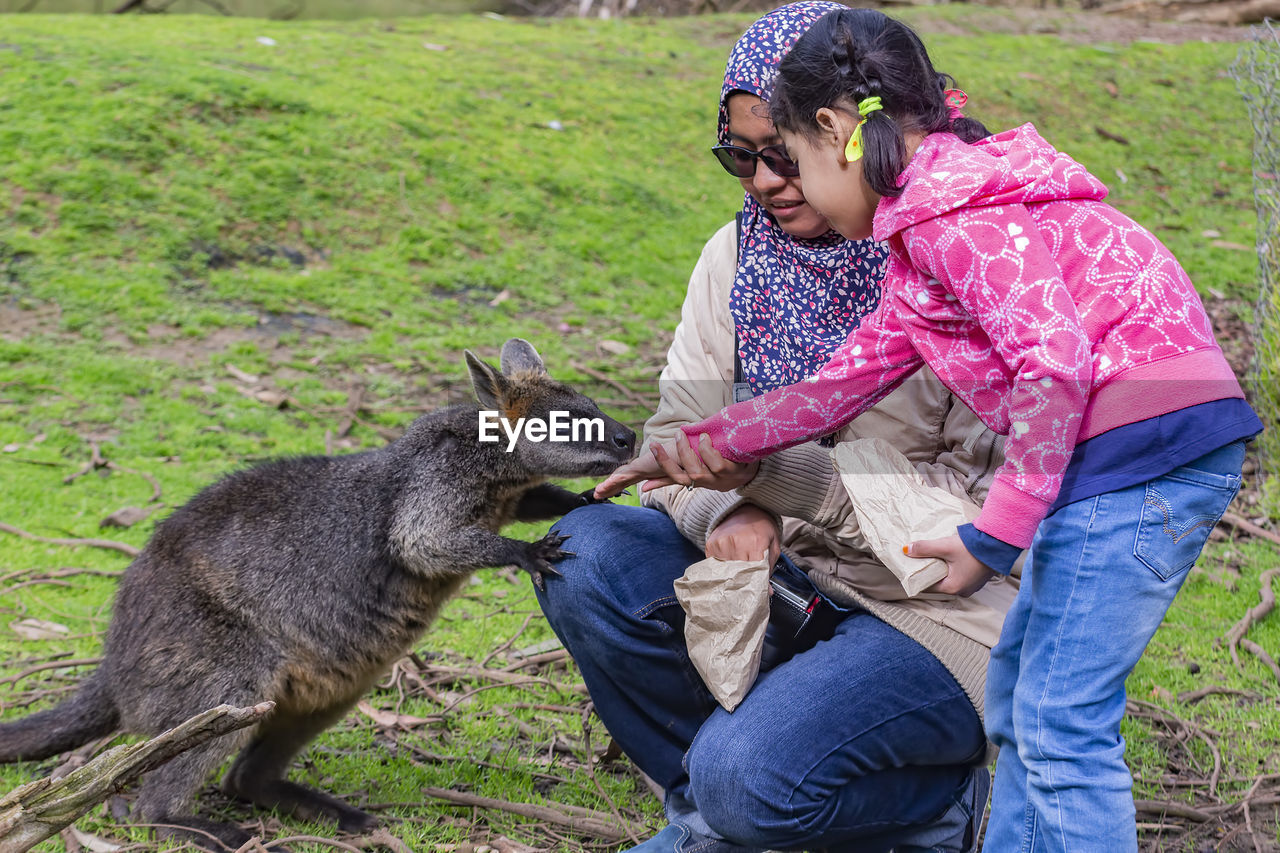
(851, 56)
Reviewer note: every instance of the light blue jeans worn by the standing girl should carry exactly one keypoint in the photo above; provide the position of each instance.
(1101, 576)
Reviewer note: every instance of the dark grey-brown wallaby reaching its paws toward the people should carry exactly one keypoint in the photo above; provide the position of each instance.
(303, 581)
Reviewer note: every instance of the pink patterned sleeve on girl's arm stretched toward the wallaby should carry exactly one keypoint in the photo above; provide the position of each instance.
(875, 359)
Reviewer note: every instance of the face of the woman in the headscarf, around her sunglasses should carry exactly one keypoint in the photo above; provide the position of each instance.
(749, 126)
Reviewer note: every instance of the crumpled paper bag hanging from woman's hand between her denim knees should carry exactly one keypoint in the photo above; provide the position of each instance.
(726, 608)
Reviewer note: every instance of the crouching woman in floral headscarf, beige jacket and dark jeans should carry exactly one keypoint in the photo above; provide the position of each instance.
(871, 740)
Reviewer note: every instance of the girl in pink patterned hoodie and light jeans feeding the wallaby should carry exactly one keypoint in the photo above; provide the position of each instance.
(1064, 326)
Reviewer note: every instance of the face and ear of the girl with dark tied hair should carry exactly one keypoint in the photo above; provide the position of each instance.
(834, 186)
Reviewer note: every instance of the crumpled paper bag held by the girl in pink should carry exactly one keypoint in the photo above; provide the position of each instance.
(895, 508)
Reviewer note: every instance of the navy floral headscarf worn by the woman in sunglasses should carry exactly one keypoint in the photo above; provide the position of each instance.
(794, 300)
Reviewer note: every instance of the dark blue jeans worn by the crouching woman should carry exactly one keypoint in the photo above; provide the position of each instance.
(843, 747)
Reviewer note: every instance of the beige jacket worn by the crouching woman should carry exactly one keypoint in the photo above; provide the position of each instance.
(945, 441)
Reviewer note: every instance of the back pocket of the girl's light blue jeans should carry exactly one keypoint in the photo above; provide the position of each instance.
(1180, 512)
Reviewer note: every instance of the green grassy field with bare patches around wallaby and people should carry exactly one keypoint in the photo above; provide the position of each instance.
(228, 240)
